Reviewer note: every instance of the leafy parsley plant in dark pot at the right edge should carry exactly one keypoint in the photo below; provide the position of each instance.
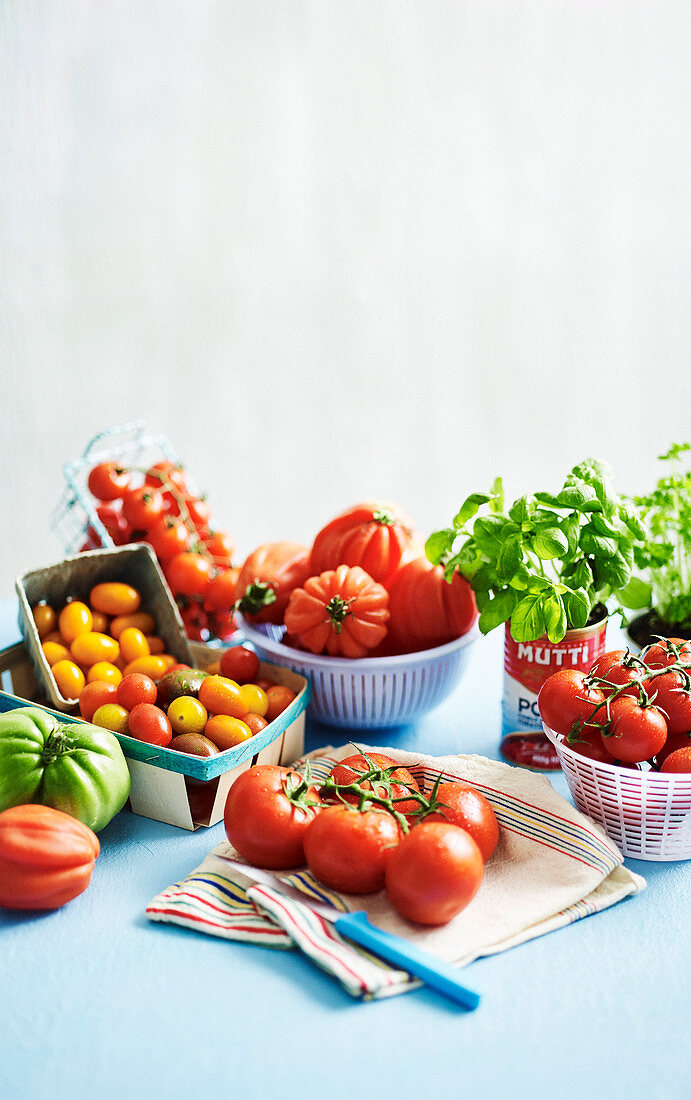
(662, 588)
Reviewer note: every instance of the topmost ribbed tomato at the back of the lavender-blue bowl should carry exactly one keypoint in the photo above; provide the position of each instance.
(372, 536)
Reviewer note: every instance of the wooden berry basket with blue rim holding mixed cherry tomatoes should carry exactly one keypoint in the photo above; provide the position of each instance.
(173, 787)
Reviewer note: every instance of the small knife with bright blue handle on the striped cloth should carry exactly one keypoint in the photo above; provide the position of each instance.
(357, 927)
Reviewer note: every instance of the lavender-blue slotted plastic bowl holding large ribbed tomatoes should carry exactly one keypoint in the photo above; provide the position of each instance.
(372, 692)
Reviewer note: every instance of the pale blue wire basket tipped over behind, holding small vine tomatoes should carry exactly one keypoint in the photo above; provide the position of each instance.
(75, 518)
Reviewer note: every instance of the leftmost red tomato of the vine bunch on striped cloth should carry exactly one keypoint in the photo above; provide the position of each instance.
(268, 812)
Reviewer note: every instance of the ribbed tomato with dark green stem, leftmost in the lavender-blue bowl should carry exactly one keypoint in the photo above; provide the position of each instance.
(269, 577)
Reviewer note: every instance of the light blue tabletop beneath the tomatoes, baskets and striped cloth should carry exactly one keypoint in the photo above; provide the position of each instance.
(96, 1002)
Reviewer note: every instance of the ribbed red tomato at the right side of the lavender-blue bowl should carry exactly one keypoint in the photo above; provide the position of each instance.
(425, 610)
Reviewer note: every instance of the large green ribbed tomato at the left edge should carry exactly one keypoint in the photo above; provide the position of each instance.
(72, 767)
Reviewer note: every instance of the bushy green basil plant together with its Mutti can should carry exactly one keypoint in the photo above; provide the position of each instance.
(544, 567)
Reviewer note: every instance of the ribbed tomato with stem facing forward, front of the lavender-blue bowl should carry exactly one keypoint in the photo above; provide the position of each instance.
(343, 612)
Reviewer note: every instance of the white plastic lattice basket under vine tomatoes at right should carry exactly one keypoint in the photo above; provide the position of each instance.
(646, 813)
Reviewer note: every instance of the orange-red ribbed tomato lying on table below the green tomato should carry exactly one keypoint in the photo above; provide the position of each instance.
(47, 857)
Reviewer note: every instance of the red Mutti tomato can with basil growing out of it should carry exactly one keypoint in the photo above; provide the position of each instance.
(528, 665)
